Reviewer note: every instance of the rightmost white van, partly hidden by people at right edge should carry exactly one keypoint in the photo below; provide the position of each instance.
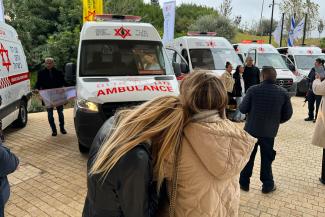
(301, 60)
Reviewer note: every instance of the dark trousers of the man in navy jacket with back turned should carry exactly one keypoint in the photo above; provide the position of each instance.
(267, 156)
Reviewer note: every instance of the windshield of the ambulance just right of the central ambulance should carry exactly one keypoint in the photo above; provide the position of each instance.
(213, 58)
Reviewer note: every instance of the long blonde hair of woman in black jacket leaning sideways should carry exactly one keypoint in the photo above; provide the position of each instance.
(160, 121)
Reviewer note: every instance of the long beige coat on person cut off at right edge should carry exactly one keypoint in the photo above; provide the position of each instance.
(319, 133)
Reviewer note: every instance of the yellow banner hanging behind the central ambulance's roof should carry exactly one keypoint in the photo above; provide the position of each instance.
(91, 8)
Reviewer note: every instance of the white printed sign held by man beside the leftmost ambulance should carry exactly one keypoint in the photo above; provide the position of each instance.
(57, 96)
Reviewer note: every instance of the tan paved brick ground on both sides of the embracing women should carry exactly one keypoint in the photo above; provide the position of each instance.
(51, 180)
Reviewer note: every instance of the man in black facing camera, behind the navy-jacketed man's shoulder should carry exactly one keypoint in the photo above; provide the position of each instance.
(251, 74)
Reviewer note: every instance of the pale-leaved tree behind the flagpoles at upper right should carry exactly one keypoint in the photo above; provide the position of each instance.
(299, 8)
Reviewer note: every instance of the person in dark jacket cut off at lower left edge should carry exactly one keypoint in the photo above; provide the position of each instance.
(8, 164)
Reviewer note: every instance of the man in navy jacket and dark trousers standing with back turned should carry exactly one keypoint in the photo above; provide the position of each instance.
(267, 106)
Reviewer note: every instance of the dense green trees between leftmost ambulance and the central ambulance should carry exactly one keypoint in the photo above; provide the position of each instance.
(36, 21)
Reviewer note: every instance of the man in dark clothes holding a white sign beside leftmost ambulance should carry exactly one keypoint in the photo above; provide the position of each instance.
(50, 78)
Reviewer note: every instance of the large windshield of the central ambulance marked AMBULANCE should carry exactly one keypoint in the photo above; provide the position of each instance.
(122, 58)
